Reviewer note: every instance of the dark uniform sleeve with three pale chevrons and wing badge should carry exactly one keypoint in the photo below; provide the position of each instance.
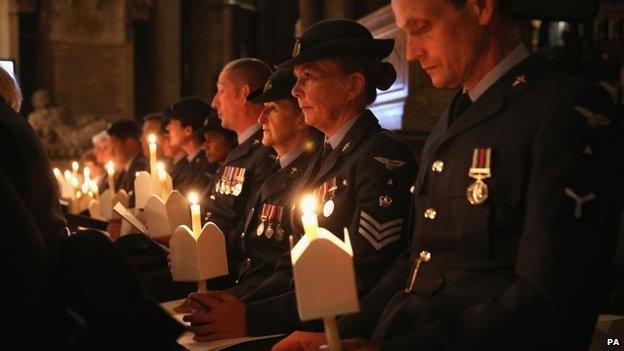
(381, 209)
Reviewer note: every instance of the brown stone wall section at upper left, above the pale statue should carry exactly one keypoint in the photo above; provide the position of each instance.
(86, 58)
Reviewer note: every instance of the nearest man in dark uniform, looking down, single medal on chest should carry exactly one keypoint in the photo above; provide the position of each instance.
(515, 209)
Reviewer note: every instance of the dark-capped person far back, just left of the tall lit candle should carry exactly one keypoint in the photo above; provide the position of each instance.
(125, 139)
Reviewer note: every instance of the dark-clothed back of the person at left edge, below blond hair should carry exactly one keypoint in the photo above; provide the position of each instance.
(27, 168)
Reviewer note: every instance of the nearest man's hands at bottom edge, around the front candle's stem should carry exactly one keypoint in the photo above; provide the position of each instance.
(306, 341)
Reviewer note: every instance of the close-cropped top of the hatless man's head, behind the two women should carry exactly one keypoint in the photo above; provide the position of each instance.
(249, 71)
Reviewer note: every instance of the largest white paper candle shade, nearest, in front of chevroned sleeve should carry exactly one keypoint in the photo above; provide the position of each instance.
(320, 263)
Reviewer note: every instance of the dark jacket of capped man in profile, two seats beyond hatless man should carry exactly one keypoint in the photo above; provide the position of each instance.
(196, 175)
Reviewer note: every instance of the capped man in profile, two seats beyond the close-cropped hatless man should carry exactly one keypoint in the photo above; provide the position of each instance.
(186, 117)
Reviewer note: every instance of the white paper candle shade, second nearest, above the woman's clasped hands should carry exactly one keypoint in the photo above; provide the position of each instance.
(195, 259)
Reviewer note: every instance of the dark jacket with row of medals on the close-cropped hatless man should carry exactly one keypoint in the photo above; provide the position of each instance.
(228, 212)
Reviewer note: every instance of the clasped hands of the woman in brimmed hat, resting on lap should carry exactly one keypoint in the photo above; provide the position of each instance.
(216, 315)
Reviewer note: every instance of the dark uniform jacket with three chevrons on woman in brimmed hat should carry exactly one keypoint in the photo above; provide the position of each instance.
(373, 170)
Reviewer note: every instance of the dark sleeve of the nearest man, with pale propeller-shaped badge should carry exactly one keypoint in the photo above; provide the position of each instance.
(568, 228)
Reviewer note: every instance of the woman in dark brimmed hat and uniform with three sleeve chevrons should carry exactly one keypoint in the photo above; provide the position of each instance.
(362, 185)
